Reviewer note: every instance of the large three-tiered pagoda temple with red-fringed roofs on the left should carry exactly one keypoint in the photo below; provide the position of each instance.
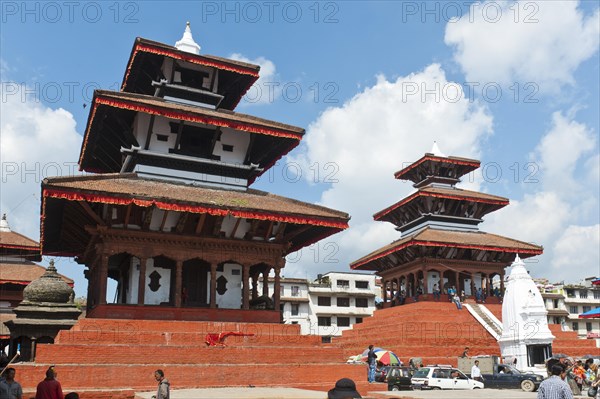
(168, 213)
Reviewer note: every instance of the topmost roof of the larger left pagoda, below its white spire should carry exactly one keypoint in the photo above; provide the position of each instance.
(146, 59)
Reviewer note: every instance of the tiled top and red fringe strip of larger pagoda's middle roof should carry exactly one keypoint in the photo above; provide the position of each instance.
(194, 109)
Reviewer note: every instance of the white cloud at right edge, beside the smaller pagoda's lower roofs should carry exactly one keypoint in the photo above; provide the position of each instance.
(561, 212)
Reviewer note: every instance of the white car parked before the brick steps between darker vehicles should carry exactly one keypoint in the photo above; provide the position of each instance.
(443, 377)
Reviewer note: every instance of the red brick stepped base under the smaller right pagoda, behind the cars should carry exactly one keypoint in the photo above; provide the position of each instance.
(438, 332)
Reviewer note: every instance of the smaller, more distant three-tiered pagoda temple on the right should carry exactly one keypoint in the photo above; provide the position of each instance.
(441, 242)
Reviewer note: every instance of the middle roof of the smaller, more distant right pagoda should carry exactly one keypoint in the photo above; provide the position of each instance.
(421, 202)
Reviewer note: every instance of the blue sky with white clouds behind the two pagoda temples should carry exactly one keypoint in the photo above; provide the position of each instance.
(515, 84)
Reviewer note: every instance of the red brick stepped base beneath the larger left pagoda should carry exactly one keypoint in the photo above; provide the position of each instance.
(103, 358)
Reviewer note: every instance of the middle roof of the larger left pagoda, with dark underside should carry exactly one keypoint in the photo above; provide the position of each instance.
(112, 115)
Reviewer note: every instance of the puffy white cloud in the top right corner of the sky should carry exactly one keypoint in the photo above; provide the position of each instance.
(506, 41)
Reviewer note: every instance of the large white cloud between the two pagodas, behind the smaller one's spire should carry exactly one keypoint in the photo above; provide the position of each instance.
(371, 136)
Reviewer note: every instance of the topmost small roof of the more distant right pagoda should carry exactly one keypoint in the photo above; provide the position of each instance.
(437, 169)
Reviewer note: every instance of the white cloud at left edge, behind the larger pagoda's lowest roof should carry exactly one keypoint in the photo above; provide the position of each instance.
(35, 142)
